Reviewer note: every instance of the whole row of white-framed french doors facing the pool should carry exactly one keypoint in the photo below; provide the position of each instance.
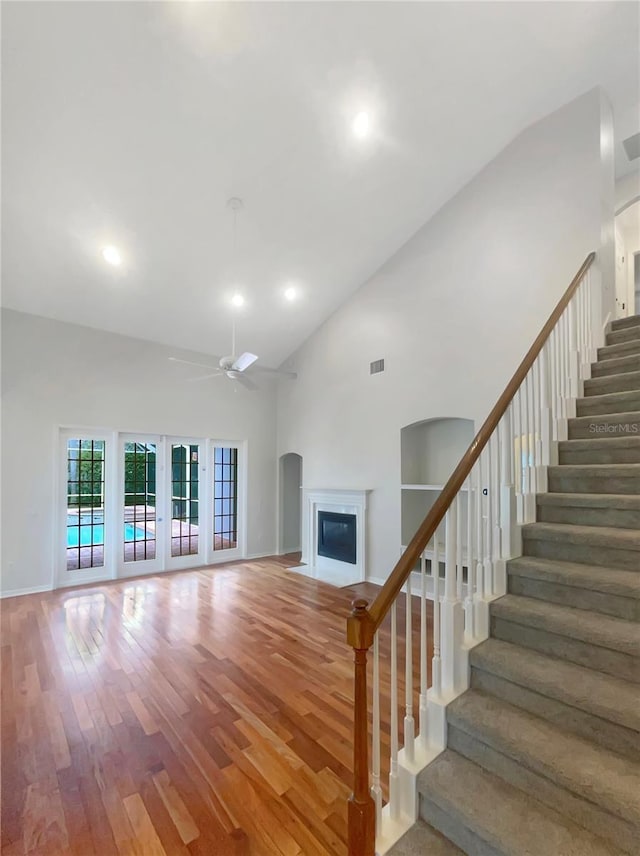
(133, 504)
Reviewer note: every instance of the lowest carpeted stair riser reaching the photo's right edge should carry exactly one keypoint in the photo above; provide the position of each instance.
(597, 819)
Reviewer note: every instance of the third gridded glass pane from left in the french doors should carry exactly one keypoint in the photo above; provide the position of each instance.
(184, 499)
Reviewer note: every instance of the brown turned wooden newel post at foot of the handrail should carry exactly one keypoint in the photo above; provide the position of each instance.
(361, 812)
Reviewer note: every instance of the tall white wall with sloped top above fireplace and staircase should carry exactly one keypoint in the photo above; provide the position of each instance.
(452, 313)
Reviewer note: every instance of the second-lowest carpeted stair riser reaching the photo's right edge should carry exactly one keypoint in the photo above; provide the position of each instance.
(609, 734)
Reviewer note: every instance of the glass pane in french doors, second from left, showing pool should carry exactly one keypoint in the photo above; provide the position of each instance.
(139, 501)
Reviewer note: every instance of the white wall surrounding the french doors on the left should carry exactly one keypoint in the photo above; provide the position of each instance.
(57, 374)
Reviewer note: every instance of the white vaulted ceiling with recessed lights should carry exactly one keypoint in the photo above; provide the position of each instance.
(133, 123)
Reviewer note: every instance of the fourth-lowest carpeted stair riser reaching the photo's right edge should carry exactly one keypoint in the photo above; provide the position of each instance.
(578, 598)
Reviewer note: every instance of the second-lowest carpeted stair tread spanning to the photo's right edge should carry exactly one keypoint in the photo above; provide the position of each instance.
(604, 696)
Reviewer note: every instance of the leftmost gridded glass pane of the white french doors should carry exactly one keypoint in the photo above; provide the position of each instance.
(85, 503)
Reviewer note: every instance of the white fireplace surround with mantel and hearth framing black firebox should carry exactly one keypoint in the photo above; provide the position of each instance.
(340, 502)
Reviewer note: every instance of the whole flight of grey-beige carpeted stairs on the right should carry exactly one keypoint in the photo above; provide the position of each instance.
(543, 751)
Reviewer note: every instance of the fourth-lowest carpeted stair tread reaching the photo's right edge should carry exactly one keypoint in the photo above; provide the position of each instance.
(606, 580)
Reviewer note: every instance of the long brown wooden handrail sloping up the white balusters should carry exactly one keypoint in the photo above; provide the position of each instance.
(392, 587)
